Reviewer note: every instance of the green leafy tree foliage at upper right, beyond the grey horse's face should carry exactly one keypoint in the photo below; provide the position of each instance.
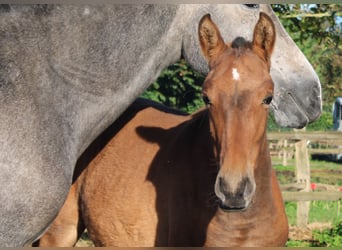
(316, 29)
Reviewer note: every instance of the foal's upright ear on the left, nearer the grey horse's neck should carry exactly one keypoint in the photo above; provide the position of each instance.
(211, 41)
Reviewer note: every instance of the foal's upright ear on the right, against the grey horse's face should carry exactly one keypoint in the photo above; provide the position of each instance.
(264, 38)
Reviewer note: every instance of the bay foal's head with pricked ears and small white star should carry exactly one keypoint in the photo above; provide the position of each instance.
(237, 91)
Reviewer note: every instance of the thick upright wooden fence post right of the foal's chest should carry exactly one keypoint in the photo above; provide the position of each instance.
(302, 176)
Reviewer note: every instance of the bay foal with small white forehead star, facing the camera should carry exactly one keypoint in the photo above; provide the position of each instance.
(167, 179)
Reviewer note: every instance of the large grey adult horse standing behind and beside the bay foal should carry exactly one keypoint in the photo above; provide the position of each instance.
(67, 72)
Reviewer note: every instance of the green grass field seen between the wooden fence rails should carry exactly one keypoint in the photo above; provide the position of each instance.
(324, 216)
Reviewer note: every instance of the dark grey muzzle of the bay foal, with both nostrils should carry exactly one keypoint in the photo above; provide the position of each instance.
(234, 198)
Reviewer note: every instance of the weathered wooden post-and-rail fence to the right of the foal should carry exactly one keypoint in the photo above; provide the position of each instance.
(299, 145)
